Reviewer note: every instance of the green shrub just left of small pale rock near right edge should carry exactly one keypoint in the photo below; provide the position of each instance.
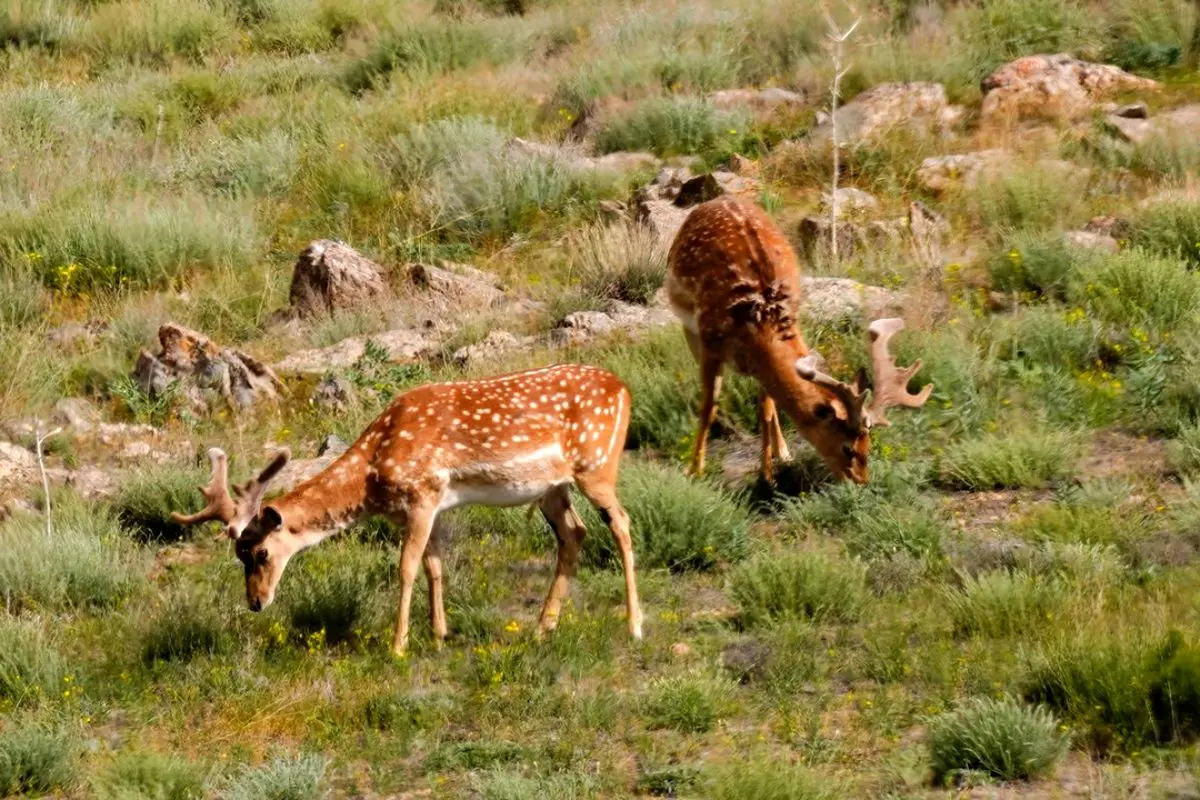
(1040, 263)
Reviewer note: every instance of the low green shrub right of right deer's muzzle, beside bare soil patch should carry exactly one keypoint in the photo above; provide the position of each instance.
(1019, 461)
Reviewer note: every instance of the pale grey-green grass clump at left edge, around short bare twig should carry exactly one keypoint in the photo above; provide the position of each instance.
(88, 562)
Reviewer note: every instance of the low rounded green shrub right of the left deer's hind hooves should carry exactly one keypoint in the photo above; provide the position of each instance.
(799, 586)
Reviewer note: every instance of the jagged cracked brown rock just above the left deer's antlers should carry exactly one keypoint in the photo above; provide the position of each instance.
(205, 371)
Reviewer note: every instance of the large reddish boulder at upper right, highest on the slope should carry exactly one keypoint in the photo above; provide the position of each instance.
(1057, 87)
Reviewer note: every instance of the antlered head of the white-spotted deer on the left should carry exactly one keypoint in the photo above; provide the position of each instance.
(261, 540)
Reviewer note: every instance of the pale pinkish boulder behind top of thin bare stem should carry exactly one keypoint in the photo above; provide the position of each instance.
(921, 106)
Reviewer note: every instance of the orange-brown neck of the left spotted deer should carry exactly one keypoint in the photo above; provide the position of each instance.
(328, 502)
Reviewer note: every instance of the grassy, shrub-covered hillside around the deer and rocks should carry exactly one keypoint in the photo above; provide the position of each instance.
(1011, 600)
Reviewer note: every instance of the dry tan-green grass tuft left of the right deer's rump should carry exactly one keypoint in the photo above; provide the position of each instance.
(621, 262)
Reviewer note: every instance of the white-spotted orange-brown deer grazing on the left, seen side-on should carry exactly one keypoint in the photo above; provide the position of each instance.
(501, 442)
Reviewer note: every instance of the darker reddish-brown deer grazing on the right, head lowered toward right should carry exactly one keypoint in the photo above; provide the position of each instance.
(735, 284)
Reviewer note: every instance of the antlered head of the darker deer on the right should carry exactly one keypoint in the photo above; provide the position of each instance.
(842, 422)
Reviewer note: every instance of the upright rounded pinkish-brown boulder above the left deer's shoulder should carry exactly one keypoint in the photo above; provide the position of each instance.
(331, 276)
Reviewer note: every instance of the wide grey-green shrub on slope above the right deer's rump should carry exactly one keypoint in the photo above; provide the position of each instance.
(671, 127)
